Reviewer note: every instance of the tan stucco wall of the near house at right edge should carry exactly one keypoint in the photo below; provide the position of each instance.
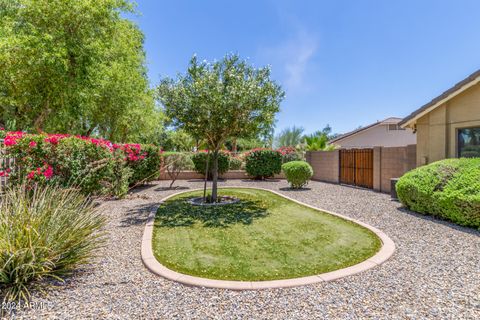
(437, 130)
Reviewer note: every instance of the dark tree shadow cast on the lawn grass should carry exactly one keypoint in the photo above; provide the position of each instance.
(179, 213)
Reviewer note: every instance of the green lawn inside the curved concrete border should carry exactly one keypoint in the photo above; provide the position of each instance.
(264, 237)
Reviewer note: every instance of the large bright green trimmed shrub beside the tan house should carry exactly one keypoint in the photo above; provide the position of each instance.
(448, 189)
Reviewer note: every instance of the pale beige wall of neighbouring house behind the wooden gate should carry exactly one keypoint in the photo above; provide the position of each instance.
(378, 136)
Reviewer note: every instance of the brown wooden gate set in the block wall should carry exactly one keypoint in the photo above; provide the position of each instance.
(356, 167)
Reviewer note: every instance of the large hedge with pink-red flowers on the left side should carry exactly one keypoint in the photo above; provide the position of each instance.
(95, 166)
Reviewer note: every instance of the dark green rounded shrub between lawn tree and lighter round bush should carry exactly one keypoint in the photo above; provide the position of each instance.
(263, 163)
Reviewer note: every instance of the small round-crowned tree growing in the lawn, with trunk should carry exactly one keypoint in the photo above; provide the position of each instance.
(221, 100)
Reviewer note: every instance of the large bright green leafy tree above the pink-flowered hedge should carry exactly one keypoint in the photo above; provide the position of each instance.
(75, 66)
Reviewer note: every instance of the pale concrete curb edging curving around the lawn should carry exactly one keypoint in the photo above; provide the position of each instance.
(149, 260)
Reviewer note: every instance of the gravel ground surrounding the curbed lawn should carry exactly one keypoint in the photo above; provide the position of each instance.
(434, 273)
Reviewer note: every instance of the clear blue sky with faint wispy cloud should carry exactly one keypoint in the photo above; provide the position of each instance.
(345, 63)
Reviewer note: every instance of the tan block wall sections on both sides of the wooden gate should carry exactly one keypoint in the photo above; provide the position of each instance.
(388, 163)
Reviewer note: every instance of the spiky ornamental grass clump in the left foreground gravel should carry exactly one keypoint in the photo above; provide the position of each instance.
(46, 232)
